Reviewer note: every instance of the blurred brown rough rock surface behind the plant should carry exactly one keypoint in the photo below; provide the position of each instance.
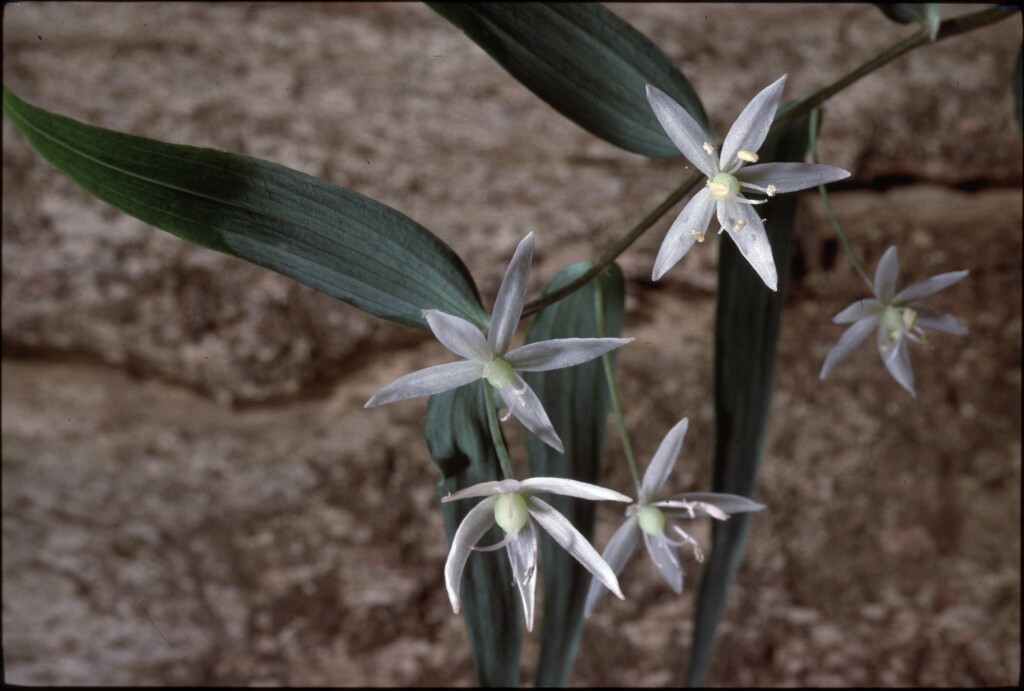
(194, 494)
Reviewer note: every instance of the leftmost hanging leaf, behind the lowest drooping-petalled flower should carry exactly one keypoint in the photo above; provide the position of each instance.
(459, 442)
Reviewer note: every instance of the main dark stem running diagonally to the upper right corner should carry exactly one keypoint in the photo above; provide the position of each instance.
(948, 29)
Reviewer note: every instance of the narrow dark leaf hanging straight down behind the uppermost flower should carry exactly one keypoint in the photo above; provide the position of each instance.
(747, 328)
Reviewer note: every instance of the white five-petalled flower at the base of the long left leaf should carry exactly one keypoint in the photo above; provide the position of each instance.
(489, 357)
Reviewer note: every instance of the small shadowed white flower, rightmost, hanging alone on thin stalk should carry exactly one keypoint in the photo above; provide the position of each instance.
(899, 318)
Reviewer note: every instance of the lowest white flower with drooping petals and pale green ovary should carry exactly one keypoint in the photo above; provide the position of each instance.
(511, 504)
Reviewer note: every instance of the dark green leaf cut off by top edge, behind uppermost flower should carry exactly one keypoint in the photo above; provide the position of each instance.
(586, 63)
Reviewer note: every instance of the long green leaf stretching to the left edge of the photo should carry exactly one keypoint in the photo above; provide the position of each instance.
(329, 238)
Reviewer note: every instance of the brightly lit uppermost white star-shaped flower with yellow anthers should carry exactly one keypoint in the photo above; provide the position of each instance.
(729, 178)
